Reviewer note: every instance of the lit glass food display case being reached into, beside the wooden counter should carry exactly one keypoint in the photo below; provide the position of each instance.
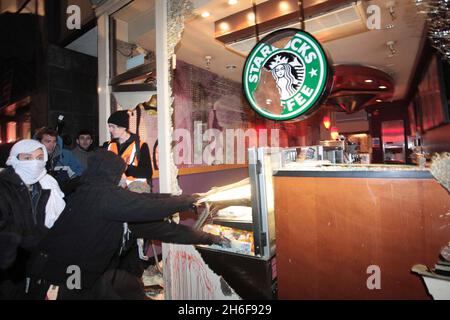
(244, 213)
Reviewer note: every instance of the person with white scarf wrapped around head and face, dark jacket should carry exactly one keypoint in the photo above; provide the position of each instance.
(30, 203)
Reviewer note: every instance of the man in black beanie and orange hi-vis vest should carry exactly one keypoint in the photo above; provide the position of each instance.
(128, 146)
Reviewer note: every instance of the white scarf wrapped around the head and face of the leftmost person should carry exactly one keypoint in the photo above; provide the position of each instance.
(32, 171)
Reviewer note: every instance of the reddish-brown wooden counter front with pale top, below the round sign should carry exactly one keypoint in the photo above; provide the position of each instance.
(354, 231)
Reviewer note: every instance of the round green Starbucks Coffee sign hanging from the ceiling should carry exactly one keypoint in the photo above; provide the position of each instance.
(288, 82)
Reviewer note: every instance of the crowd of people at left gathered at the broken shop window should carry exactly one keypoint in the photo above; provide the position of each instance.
(70, 224)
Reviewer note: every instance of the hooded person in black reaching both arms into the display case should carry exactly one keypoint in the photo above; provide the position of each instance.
(91, 233)
